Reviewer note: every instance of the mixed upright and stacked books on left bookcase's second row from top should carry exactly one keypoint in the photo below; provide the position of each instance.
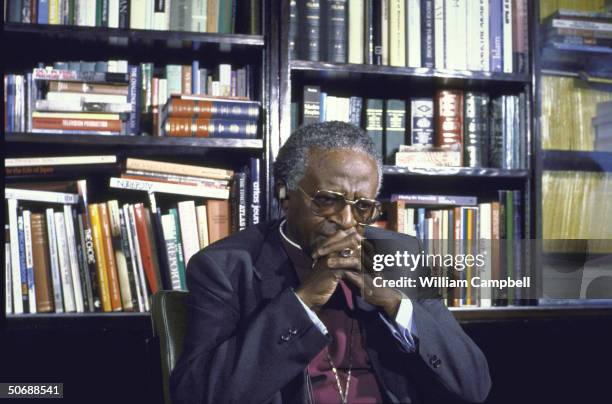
(114, 98)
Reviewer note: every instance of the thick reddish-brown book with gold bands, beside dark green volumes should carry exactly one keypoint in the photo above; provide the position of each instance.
(449, 129)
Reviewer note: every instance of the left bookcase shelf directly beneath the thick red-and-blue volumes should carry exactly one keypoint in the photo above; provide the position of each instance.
(193, 145)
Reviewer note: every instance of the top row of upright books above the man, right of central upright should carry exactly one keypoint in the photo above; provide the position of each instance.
(478, 35)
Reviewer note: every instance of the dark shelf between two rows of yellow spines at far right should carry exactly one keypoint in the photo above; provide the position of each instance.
(567, 160)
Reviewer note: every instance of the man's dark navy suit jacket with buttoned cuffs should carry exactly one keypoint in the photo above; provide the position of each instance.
(241, 303)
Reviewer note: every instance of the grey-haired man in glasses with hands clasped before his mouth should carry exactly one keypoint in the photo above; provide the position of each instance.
(284, 313)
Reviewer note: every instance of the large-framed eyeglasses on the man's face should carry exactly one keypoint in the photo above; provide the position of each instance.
(327, 203)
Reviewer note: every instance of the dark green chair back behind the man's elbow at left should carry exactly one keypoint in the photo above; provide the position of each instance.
(169, 315)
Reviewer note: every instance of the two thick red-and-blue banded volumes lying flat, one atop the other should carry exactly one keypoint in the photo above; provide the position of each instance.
(200, 116)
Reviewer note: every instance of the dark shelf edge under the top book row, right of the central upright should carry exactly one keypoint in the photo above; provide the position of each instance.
(324, 69)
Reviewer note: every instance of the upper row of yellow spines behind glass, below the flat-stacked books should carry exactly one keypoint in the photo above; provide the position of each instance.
(568, 107)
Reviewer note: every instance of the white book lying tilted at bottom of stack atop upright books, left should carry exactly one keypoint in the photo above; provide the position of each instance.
(176, 189)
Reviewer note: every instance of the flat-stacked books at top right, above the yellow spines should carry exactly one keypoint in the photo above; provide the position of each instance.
(575, 30)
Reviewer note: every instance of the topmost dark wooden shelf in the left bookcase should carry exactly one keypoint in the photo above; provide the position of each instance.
(135, 35)
